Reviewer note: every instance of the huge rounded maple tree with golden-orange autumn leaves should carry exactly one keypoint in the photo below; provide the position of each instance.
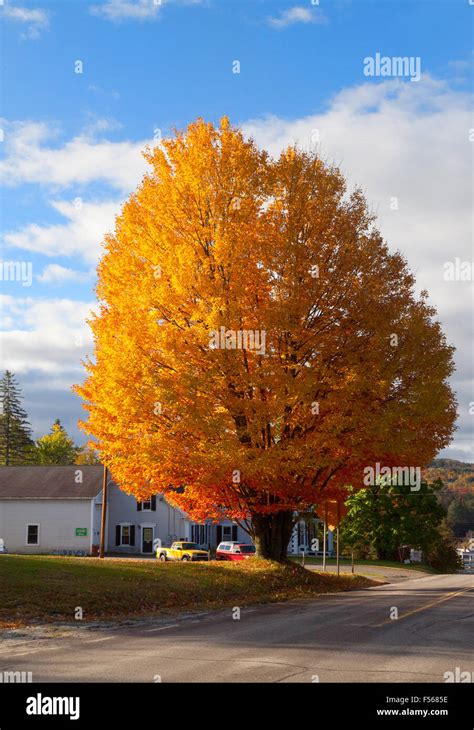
(354, 368)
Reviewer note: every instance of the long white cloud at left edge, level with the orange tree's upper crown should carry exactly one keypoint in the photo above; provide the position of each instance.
(82, 160)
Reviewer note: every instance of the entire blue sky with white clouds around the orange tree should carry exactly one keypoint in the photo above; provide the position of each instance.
(72, 141)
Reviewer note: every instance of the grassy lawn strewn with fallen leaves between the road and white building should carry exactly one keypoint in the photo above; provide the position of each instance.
(49, 588)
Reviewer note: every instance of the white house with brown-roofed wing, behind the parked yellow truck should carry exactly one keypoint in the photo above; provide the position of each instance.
(51, 509)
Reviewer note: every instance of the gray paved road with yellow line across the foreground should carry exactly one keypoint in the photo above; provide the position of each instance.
(341, 637)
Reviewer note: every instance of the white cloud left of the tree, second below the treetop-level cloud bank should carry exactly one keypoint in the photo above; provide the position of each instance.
(81, 236)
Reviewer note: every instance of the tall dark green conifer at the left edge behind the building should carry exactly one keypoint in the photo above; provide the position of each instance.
(16, 445)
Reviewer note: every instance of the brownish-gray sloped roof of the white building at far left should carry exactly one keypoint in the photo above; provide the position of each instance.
(50, 482)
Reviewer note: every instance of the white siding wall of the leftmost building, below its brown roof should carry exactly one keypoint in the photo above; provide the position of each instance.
(58, 520)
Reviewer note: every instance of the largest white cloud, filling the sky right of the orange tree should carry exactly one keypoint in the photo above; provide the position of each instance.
(406, 144)
